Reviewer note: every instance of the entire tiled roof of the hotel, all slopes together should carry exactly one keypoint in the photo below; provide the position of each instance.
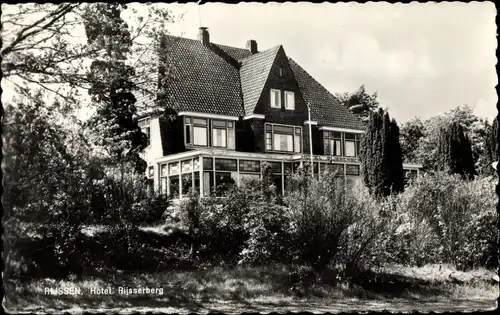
(229, 81)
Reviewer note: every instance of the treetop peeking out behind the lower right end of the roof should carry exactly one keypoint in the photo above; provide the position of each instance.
(359, 102)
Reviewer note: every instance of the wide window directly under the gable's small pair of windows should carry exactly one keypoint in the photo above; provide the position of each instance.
(283, 138)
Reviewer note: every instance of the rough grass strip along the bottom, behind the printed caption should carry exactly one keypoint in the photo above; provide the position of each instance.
(268, 289)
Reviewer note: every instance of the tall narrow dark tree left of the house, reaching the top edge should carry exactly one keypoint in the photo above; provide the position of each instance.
(113, 87)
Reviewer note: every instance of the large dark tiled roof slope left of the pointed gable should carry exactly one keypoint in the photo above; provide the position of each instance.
(201, 80)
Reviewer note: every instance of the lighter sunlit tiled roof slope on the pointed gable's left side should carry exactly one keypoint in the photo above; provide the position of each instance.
(253, 74)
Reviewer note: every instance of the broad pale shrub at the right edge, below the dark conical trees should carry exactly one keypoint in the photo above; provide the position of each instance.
(444, 219)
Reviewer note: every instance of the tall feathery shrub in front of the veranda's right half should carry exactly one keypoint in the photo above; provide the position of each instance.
(321, 212)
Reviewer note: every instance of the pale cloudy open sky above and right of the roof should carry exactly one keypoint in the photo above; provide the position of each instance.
(421, 59)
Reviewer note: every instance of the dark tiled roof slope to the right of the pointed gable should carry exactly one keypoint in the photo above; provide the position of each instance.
(325, 108)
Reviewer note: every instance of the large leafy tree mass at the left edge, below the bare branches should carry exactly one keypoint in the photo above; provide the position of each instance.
(46, 189)
